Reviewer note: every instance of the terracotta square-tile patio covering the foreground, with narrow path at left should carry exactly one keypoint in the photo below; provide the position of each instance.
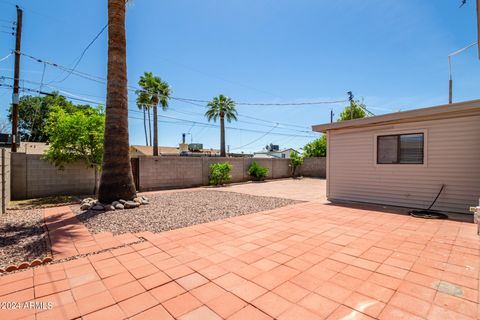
(306, 261)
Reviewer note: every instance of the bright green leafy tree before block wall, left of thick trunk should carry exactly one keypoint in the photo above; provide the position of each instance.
(76, 136)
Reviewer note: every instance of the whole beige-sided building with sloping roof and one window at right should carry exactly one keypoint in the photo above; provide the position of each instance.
(403, 158)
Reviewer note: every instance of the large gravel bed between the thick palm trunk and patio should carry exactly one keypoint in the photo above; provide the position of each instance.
(173, 210)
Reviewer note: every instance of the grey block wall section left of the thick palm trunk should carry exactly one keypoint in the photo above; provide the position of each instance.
(33, 177)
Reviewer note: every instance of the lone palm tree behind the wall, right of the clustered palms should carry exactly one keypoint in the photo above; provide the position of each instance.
(221, 107)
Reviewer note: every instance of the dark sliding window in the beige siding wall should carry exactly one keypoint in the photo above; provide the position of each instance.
(400, 149)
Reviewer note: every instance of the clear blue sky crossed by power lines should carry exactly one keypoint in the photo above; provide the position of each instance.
(391, 53)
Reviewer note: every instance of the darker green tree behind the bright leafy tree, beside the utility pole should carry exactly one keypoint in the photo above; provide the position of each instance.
(34, 111)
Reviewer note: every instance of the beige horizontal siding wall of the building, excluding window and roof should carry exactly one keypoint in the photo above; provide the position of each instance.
(452, 157)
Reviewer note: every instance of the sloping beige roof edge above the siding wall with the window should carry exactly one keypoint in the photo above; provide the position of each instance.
(439, 112)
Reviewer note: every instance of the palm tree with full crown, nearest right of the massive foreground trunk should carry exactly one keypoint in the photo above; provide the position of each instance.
(156, 91)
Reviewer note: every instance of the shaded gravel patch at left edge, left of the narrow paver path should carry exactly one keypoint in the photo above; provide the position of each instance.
(22, 237)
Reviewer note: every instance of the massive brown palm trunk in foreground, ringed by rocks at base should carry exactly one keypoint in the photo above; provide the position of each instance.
(116, 181)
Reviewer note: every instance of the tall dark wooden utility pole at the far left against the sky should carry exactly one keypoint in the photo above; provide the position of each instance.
(15, 97)
